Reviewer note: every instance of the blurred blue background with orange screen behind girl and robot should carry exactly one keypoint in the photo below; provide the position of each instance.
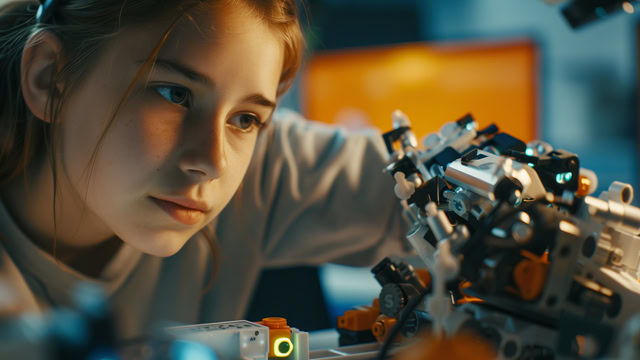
(519, 64)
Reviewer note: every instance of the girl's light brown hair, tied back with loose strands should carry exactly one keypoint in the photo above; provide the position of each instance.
(84, 28)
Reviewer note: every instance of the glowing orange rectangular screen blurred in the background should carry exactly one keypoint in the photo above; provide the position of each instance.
(432, 84)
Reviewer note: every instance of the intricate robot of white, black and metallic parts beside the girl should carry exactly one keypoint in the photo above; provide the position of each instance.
(519, 252)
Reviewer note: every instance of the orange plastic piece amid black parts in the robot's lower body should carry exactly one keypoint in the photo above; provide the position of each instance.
(530, 275)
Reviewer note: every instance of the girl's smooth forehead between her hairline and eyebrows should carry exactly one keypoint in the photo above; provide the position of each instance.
(233, 49)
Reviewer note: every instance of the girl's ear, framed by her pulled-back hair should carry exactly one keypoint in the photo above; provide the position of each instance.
(40, 60)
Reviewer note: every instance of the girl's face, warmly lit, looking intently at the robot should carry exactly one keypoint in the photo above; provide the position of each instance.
(181, 143)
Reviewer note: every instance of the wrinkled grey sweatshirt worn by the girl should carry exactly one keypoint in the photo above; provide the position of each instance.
(312, 194)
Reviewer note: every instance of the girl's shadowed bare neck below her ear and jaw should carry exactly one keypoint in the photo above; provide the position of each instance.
(75, 238)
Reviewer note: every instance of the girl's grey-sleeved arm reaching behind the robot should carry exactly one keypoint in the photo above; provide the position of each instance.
(315, 194)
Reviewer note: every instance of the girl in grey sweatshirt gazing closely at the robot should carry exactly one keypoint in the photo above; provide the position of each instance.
(125, 129)
